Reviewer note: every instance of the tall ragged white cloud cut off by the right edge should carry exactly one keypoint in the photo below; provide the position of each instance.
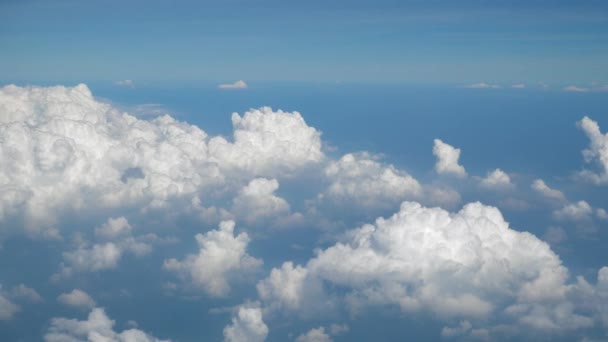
(597, 152)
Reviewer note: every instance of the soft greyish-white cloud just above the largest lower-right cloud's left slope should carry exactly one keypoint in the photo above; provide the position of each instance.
(360, 179)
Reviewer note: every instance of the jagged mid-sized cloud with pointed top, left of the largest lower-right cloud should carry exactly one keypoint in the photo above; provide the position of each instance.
(222, 256)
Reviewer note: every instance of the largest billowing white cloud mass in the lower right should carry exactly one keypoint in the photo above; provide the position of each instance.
(468, 265)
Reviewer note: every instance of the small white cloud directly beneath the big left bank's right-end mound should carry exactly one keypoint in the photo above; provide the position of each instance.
(257, 201)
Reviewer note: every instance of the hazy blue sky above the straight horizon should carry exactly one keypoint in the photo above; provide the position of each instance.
(389, 41)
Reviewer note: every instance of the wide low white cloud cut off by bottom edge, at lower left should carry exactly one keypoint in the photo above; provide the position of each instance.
(97, 327)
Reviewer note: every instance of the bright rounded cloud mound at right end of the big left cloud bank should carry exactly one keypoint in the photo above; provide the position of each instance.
(268, 143)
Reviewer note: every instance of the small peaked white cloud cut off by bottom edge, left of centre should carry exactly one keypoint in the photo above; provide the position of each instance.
(247, 326)
